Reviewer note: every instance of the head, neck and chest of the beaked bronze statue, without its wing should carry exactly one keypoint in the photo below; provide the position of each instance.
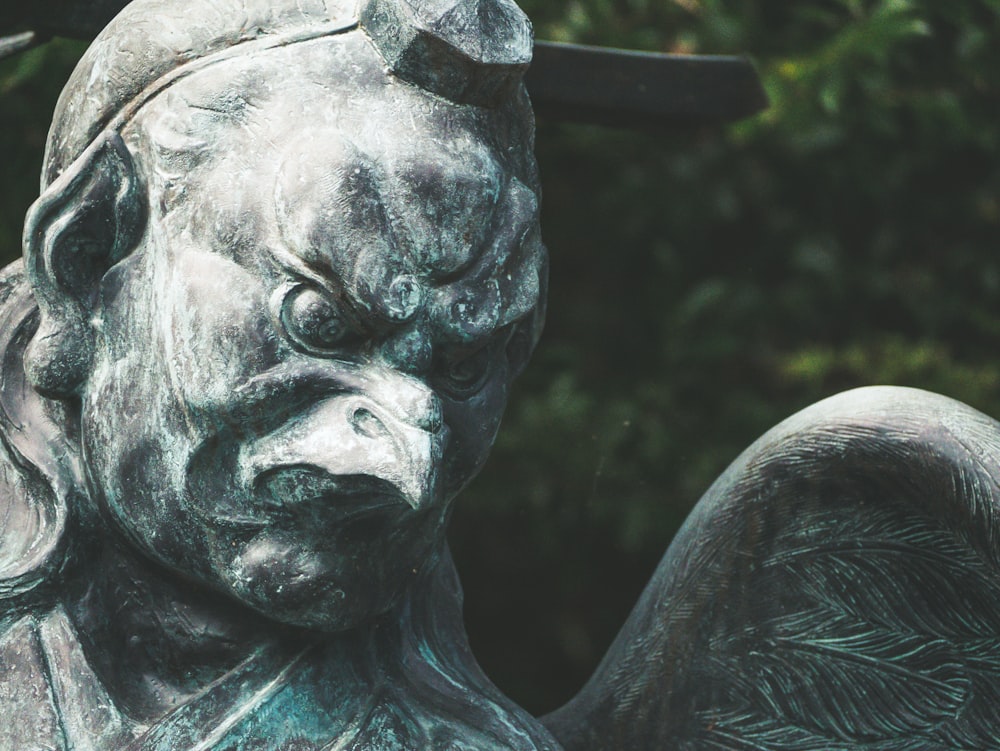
(272, 299)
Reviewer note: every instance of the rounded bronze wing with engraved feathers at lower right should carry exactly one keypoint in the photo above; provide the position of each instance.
(837, 588)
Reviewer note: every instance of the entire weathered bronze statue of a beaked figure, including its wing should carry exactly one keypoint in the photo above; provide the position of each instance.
(284, 267)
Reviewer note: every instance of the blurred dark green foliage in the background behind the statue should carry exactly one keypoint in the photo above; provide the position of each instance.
(705, 285)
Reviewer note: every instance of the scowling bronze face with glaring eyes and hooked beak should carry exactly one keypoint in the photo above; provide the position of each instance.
(309, 355)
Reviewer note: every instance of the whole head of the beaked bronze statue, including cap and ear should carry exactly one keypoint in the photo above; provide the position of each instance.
(286, 262)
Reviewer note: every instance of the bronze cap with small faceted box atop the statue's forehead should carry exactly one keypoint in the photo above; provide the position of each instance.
(469, 51)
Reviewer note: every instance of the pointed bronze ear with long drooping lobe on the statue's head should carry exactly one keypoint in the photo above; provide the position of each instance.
(87, 220)
